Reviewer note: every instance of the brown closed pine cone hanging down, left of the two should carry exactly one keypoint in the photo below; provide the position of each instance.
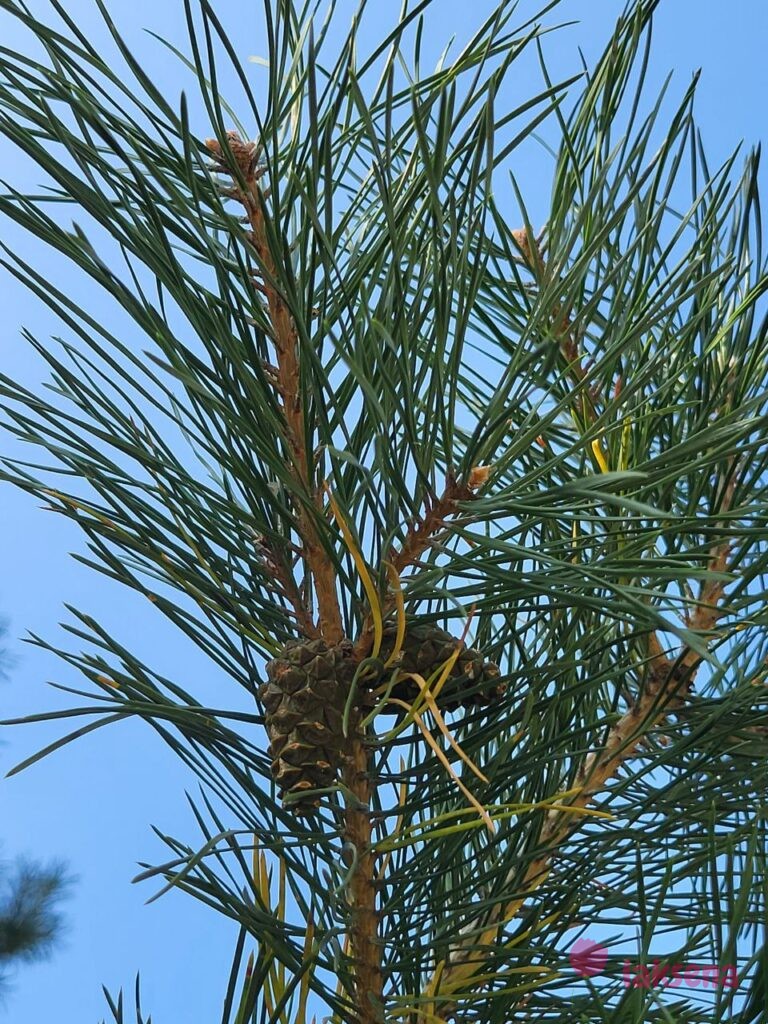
(305, 702)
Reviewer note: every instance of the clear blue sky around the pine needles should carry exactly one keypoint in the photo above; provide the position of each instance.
(93, 804)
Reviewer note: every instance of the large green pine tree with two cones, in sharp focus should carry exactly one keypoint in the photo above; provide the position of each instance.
(473, 509)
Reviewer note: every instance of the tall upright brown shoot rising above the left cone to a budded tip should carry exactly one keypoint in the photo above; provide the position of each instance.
(287, 381)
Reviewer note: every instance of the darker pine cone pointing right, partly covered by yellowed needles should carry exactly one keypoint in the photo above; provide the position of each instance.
(426, 648)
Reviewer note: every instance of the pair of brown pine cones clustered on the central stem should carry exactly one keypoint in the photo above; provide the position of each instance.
(308, 689)
